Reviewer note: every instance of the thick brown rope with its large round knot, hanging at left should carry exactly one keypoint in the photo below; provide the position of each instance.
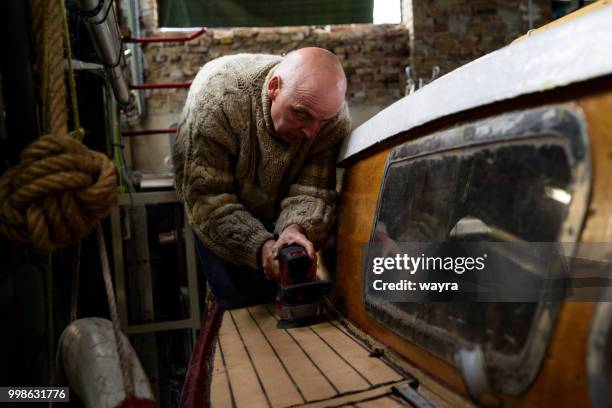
(60, 189)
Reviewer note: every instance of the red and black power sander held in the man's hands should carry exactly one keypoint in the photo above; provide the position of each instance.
(300, 293)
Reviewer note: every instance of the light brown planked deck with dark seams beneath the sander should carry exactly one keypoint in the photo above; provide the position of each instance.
(258, 365)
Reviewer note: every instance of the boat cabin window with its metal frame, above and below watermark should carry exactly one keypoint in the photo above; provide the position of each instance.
(519, 177)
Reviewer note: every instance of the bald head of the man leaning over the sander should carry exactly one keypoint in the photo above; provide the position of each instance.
(306, 91)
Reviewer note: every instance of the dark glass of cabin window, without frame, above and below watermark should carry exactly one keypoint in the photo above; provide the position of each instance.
(502, 186)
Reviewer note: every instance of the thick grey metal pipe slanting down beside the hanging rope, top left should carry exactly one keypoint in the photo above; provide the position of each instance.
(101, 22)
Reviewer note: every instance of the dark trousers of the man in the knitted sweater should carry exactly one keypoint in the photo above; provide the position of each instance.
(234, 286)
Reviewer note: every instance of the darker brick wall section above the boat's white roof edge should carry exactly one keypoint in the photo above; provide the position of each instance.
(450, 33)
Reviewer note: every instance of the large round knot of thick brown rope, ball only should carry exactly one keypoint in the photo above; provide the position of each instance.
(56, 194)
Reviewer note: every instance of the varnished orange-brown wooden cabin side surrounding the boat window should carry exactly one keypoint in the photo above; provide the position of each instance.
(562, 380)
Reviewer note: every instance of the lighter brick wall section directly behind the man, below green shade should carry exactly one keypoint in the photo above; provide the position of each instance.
(373, 56)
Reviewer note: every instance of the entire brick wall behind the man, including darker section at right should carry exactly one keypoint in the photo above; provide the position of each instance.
(447, 33)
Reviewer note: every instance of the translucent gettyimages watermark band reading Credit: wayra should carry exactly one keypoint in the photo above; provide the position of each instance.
(488, 271)
